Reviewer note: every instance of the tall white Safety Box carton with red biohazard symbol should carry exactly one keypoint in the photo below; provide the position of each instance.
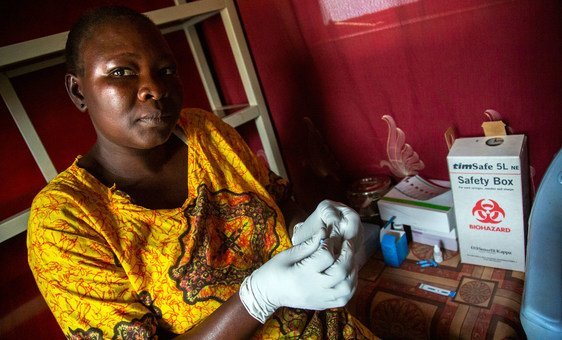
(489, 180)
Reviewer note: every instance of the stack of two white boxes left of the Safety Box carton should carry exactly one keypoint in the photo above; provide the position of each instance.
(426, 206)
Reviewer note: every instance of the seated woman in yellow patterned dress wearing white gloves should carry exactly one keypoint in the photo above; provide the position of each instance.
(151, 235)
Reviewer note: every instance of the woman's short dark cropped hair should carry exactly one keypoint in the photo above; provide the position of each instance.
(86, 26)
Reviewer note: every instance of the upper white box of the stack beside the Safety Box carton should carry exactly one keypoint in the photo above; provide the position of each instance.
(433, 214)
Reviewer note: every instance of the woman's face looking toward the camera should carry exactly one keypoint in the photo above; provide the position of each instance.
(129, 85)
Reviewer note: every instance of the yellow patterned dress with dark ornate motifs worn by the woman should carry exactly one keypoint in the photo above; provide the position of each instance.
(111, 269)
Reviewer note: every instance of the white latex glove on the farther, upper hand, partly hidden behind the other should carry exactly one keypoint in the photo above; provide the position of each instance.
(344, 222)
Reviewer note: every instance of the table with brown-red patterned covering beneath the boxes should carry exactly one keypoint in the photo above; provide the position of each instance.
(486, 306)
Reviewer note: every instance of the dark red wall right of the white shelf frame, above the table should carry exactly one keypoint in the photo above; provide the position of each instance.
(429, 64)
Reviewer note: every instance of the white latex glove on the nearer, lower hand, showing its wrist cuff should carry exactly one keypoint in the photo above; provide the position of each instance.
(305, 276)
